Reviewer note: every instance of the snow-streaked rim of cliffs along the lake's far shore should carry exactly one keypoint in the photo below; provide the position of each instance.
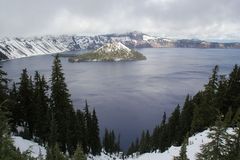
(11, 48)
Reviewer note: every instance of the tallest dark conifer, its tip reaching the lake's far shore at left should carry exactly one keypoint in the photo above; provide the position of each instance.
(60, 102)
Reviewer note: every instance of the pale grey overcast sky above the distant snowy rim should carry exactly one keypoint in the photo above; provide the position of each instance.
(204, 19)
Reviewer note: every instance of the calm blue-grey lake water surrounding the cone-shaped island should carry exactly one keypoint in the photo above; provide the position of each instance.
(131, 96)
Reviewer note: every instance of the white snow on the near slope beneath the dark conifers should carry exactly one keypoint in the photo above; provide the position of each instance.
(193, 148)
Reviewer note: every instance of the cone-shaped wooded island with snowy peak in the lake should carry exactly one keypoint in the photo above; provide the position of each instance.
(114, 51)
